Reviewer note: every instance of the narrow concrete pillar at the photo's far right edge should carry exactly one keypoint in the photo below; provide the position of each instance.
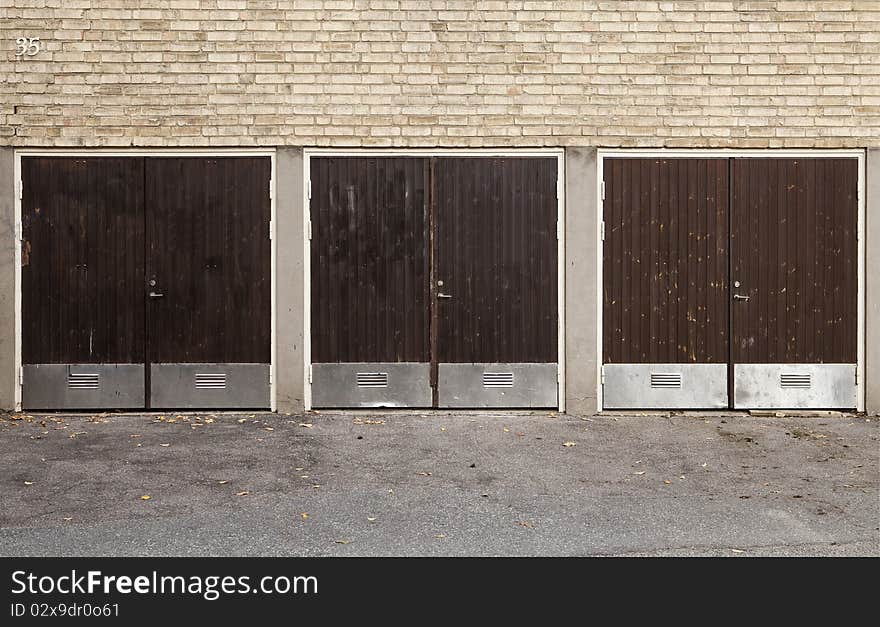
(872, 283)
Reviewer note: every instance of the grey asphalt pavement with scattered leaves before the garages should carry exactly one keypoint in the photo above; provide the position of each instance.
(506, 483)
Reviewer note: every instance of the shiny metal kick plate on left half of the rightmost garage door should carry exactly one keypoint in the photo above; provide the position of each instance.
(664, 386)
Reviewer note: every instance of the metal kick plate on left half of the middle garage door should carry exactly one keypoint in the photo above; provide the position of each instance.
(371, 385)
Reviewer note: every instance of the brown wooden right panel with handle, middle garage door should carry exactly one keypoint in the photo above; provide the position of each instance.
(496, 253)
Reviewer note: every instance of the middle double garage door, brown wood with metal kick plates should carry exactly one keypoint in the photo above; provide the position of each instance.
(434, 282)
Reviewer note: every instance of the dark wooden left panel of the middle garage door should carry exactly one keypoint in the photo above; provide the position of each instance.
(369, 258)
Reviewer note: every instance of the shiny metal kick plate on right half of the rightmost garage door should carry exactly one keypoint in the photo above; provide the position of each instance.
(795, 386)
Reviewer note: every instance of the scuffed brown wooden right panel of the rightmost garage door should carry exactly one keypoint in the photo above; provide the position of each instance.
(794, 249)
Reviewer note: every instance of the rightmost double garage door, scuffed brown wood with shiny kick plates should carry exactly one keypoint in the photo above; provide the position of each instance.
(761, 251)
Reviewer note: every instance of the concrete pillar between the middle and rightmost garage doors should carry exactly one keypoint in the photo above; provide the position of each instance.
(581, 282)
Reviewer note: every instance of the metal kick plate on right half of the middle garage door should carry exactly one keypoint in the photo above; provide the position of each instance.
(497, 385)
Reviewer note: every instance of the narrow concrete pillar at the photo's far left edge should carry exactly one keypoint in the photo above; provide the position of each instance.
(7, 279)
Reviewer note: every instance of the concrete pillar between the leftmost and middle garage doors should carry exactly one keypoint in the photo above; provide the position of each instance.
(289, 282)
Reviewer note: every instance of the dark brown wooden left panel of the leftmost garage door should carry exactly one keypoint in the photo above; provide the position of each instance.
(82, 260)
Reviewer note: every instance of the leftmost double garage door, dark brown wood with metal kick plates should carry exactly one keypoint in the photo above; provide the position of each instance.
(146, 282)
